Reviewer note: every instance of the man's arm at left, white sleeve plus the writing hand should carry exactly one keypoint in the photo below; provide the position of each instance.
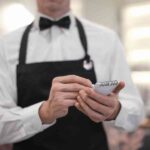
(16, 123)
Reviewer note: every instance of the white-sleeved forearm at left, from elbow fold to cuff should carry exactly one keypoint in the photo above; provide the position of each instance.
(18, 124)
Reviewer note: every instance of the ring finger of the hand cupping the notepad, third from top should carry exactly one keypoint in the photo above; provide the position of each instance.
(92, 114)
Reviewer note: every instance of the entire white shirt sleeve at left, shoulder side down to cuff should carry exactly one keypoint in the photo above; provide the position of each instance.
(16, 123)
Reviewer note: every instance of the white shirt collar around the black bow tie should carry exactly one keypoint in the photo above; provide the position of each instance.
(38, 15)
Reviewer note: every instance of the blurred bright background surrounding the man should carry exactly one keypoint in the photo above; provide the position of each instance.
(130, 19)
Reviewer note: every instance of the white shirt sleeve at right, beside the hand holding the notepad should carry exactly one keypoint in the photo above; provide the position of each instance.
(132, 106)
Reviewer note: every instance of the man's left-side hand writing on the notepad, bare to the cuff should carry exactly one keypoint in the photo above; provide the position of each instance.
(63, 94)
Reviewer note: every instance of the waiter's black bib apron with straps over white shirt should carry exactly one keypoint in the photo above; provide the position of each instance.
(72, 132)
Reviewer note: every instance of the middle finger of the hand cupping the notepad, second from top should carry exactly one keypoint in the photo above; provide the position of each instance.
(94, 105)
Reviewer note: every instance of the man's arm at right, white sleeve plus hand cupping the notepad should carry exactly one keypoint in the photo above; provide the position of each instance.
(125, 107)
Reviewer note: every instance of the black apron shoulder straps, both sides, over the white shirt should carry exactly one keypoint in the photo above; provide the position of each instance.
(24, 42)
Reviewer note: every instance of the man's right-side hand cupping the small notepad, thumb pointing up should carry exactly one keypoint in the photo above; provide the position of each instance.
(99, 107)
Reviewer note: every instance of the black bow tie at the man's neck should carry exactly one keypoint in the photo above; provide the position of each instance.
(45, 23)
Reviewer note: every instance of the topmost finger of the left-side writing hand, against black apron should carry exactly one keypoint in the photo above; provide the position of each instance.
(73, 79)
